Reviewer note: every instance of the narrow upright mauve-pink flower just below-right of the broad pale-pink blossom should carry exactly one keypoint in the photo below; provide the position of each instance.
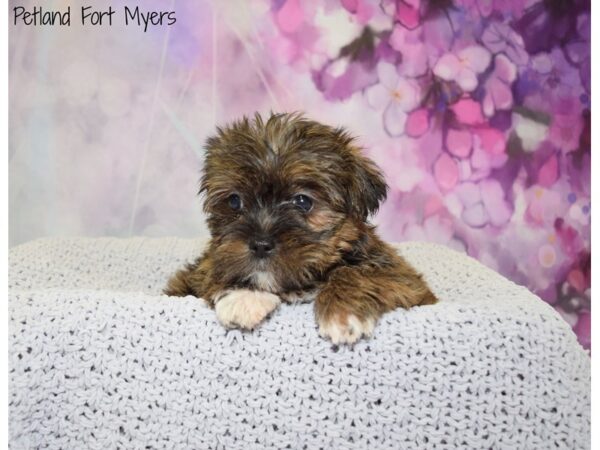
(498, 93)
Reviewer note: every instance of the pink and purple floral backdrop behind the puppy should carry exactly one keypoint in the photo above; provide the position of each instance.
(478, 111)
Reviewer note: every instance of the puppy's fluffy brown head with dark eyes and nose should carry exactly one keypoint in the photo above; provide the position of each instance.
(286, 199)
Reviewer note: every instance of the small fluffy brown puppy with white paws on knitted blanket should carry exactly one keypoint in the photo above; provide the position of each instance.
(287, 202)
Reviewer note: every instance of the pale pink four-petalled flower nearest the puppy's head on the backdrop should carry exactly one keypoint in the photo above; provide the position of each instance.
(396, 95)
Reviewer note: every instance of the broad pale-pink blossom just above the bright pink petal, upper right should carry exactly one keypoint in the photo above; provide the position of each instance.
(464, 66)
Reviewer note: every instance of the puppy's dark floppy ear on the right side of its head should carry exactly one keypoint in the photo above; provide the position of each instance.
(367, 187)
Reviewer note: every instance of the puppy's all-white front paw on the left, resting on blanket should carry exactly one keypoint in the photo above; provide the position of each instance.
(245, 308)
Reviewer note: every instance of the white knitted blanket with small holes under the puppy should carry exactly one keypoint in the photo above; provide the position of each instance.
(99, 359)
